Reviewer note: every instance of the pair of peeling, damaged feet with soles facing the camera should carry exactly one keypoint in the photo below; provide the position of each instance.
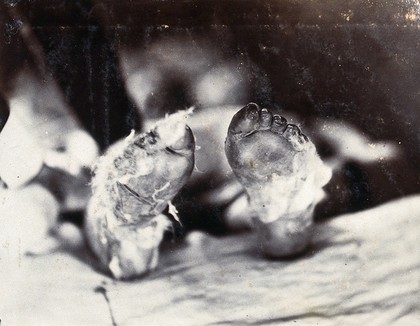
(136, 179)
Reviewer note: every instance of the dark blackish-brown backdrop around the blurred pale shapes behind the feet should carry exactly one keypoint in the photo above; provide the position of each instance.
(355, 61)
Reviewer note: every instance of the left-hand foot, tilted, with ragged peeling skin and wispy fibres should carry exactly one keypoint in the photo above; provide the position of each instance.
(134, 182)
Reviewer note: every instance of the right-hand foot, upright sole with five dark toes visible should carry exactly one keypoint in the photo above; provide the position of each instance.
(282, 174)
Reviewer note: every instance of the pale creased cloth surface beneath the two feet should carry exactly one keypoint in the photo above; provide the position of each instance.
(362, 268)
